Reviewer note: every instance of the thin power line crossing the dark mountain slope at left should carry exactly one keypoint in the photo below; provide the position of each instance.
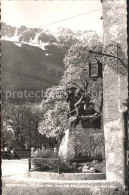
(27, 75)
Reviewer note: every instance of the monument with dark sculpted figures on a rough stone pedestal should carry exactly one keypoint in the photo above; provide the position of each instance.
(84, 124)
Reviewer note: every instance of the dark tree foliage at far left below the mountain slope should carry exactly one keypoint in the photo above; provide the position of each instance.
(24, 122)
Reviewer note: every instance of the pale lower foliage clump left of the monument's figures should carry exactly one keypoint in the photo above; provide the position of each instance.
(55, 108)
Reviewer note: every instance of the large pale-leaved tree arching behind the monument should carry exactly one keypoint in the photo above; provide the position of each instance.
(76, 75)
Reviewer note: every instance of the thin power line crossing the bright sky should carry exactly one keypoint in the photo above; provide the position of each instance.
(71, 17)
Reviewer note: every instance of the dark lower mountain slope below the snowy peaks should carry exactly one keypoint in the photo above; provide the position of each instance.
(29, 67)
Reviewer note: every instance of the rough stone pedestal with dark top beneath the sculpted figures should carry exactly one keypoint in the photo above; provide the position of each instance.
(83, 140)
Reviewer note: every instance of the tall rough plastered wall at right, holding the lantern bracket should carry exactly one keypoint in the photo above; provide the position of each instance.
(115, 89)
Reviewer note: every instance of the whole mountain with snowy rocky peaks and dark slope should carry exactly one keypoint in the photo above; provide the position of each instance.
(32, 58)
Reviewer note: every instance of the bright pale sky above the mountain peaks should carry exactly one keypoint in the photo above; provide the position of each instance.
(43, 13)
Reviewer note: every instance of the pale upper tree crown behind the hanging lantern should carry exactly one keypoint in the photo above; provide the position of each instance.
(77, 70)
